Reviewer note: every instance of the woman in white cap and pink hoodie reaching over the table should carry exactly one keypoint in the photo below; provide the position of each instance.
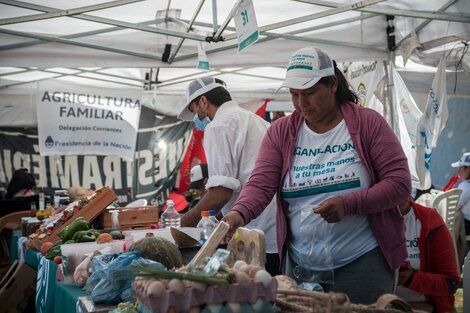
(339, 173)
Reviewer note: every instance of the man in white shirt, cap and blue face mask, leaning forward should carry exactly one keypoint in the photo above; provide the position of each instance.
(232, 137)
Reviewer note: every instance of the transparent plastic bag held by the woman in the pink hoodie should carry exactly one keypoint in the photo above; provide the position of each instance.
(316, 233)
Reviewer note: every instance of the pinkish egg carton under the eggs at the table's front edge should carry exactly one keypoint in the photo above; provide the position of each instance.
(212, 295)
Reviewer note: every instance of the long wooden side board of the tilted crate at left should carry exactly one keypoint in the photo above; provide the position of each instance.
(100, 199)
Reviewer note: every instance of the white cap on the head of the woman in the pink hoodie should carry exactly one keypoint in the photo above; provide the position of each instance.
(306, 67)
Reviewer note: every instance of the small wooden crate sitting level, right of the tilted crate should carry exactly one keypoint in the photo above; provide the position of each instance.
(130, 217)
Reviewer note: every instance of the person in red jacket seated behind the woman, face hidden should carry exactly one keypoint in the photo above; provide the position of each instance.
(428, 278)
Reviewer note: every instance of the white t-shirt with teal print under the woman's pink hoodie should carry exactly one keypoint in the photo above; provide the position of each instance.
(324, 166)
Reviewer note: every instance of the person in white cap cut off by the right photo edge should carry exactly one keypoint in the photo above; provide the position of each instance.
(464, 202)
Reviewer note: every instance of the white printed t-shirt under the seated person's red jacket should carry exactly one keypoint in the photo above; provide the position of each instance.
(412, 233)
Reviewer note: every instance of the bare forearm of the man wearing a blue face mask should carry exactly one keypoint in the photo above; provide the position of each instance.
(214, 199)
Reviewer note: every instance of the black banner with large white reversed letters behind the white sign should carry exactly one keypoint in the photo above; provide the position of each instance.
(160, 147)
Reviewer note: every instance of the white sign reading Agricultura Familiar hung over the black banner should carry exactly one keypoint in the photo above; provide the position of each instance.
(86, 121)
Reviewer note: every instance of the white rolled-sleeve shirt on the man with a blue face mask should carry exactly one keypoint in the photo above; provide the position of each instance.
(231, 144)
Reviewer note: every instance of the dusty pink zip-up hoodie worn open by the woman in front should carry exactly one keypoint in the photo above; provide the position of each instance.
(380, 153)
